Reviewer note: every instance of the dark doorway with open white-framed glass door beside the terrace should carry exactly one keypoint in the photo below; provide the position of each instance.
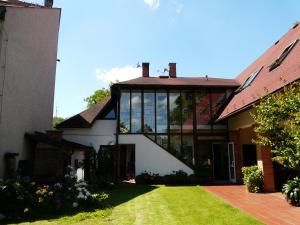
(223, 160)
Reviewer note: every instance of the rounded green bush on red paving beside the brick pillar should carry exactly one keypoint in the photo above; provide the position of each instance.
(253, 179)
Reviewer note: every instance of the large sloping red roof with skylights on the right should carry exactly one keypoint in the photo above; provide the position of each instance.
(268, 80)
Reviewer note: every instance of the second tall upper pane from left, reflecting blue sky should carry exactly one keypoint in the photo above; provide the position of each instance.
(136, 112)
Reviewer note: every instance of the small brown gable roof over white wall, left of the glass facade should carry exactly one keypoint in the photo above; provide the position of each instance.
(86, 118)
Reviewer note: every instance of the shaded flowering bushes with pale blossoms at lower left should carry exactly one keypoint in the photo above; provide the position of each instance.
(23, 198)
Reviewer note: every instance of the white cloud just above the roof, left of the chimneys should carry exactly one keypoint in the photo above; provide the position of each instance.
(118, 73)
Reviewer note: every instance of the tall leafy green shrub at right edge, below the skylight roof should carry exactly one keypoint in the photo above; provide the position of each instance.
(278, 120)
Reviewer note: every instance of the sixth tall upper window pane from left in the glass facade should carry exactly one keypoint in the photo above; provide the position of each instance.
(187, 112)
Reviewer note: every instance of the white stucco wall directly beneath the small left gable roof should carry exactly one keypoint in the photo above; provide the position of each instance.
(101, 133)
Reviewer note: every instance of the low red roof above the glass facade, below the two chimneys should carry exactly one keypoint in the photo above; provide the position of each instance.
(180, 81)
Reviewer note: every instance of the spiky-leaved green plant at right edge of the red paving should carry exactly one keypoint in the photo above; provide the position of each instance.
(291, 191)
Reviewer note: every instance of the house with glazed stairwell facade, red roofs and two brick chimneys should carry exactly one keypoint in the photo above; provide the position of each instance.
(170, 123)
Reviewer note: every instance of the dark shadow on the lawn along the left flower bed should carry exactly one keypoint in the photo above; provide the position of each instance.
(117, 195)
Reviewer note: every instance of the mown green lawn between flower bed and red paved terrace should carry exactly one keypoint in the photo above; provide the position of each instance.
(159, 205)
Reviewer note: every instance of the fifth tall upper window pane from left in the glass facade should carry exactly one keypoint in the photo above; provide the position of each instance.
(175, 112)
